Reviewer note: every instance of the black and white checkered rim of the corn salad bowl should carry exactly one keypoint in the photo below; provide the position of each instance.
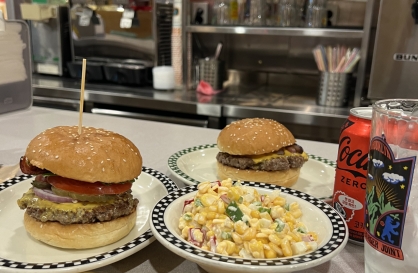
(175, 245)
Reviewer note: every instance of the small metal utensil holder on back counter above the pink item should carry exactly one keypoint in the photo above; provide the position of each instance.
(213, 72)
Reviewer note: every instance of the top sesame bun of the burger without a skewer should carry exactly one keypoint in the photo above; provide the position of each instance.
(254, 136)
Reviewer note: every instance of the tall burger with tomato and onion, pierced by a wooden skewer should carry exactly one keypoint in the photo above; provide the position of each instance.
(81, 193)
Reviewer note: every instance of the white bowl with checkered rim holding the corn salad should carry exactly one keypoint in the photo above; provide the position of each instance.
(317, 216)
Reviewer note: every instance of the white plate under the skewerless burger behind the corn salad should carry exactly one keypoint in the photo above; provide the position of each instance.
(198, 164)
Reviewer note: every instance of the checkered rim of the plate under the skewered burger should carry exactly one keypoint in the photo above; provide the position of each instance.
(168, 184)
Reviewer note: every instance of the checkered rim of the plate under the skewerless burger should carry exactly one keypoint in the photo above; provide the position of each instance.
(173, 160)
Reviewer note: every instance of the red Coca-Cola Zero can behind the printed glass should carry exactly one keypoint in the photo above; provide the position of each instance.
(351, 173)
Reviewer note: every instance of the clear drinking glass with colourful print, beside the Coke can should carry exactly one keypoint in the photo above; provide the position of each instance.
(391, 205)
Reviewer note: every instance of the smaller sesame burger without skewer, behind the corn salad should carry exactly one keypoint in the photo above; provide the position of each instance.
(260, 150)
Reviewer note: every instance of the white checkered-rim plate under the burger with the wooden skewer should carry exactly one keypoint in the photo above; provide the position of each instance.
(19, 251)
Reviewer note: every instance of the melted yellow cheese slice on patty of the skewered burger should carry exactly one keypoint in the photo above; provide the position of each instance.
(34, 201)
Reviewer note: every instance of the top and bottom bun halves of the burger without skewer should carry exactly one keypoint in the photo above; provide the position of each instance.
(254, 137)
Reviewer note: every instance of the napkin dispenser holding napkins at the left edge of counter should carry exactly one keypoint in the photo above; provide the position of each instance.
(15, 66)
